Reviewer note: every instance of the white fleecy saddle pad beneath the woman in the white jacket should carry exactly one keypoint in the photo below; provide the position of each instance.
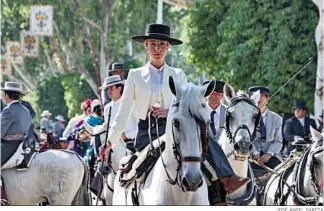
(141, 157)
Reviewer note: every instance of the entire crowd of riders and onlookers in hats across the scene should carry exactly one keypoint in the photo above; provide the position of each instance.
(146, 95)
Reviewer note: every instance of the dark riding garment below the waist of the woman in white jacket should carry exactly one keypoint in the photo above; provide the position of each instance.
(143, 139)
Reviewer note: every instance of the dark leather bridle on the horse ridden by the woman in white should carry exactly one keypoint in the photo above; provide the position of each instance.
(203, 127)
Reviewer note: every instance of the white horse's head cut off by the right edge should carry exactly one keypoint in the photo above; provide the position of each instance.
(316, 160)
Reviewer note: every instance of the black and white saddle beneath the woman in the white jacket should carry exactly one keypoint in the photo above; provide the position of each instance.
(139, 165)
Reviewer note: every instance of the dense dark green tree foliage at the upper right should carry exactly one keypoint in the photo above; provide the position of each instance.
(252, 42)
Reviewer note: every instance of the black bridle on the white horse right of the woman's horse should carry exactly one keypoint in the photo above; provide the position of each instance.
(228, 116)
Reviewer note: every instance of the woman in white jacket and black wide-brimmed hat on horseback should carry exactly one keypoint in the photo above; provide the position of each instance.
(147, 89)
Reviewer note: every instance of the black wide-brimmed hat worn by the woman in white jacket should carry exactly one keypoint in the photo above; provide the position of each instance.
(157, 31)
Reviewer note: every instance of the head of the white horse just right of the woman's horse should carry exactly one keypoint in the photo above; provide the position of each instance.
(242, 119)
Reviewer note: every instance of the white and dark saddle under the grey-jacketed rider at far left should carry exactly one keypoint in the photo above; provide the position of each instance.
(22, 158)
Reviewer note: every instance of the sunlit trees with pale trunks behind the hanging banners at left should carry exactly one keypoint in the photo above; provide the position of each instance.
(66, 56)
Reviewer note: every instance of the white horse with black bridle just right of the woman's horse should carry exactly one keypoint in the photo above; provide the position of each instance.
(242, 116)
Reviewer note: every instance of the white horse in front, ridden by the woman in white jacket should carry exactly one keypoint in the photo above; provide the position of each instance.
(185, 144)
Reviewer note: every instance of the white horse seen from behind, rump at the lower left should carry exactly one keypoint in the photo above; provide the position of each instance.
(60, 177)
